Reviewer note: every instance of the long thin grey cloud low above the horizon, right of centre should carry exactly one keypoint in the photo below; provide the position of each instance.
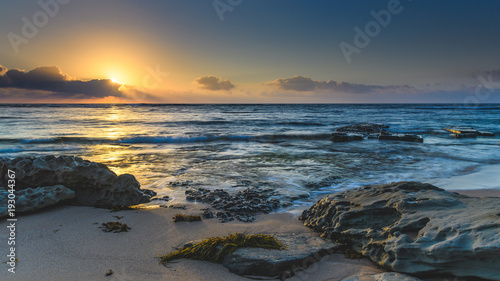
(305, 84)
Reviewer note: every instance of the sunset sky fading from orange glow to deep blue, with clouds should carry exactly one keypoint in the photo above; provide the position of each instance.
(249, 51)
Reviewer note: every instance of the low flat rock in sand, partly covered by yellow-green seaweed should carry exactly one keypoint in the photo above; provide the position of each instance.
(302, 250)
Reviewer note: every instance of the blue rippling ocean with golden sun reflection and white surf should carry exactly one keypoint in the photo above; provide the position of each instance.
(286, 147)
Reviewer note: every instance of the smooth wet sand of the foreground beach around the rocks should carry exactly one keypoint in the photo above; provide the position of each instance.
(66, 244)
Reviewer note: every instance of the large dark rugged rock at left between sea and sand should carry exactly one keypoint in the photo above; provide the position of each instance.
(93, 183)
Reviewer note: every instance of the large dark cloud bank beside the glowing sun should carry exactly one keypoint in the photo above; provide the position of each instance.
(50, 81)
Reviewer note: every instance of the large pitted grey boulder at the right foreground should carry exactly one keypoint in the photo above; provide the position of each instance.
(415, 228)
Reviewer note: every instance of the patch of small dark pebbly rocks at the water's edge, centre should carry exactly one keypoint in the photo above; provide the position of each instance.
(243, 205)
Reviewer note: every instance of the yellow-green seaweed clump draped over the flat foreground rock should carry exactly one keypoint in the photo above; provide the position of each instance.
(216, 248)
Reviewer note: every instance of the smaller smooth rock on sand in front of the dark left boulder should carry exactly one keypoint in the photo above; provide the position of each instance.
(32, 199)
